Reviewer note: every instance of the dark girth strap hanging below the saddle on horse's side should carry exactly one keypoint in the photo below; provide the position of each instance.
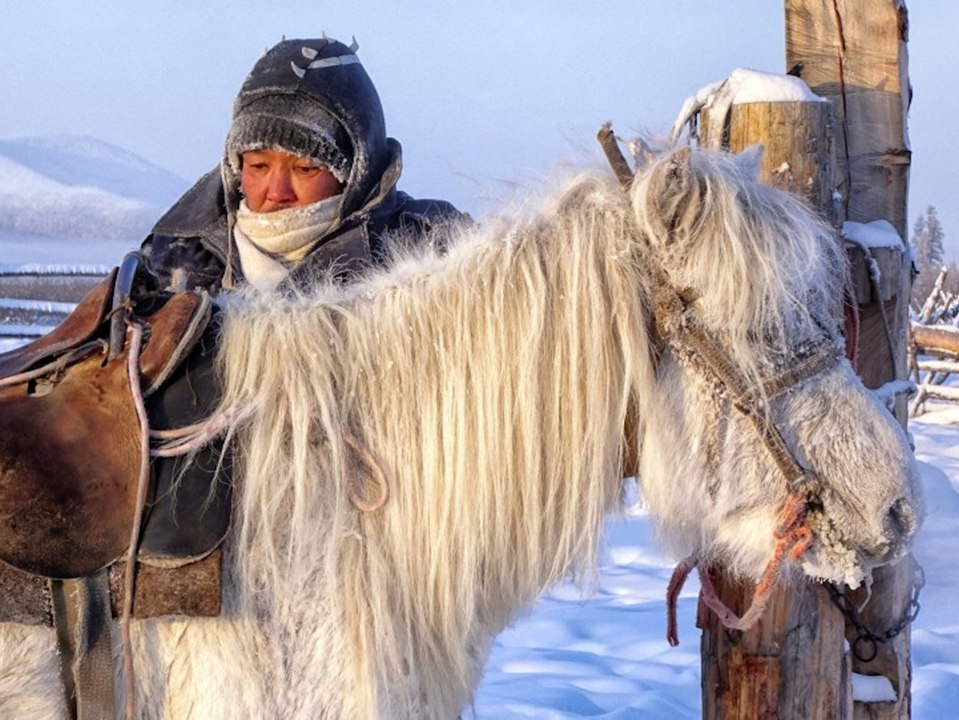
(81, 615)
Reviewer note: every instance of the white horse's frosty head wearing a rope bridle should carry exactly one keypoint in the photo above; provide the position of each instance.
(762, 428)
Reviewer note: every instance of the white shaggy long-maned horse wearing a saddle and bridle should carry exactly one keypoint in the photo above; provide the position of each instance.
(424, 452)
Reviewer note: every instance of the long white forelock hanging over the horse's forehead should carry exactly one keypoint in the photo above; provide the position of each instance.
(760, 262)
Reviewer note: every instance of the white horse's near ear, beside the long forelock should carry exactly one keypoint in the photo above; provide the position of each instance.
(673, 196)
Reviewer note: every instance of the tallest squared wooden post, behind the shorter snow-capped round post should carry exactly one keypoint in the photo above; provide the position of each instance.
(854, 53)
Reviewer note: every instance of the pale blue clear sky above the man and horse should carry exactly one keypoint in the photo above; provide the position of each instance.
(481, 94)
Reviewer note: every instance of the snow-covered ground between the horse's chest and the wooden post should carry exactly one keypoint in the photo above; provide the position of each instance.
(606, 656)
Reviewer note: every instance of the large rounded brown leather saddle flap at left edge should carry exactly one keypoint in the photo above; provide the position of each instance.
(69, 468)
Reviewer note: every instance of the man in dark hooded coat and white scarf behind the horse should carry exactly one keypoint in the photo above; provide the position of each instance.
(306, 187)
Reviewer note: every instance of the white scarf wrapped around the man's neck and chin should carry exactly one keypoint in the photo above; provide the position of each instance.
(269, 244)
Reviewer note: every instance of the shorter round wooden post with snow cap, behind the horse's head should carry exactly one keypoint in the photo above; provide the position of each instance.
(792, 663)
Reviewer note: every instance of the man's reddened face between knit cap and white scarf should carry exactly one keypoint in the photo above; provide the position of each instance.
(274, 180)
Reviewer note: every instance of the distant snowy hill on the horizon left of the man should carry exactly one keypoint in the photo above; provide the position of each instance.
(78, 188)
